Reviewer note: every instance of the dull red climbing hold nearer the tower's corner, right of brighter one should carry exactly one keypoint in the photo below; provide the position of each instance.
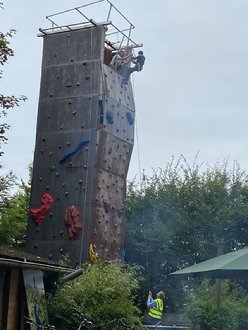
(72, 221)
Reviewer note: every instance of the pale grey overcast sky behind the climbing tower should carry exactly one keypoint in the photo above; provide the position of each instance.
(191, 95)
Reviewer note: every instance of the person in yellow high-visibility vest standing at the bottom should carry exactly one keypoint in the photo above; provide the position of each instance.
(156, 307)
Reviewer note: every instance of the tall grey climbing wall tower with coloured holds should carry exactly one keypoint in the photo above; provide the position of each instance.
(84, 140)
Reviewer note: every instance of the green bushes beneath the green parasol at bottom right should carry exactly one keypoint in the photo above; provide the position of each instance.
(230, 315)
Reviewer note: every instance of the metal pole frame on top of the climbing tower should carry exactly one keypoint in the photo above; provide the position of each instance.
(122, 35)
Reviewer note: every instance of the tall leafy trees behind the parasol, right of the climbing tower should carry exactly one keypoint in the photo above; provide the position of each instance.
(182, 215)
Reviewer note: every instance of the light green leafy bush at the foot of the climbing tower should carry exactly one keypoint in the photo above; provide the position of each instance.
(104, 294)
